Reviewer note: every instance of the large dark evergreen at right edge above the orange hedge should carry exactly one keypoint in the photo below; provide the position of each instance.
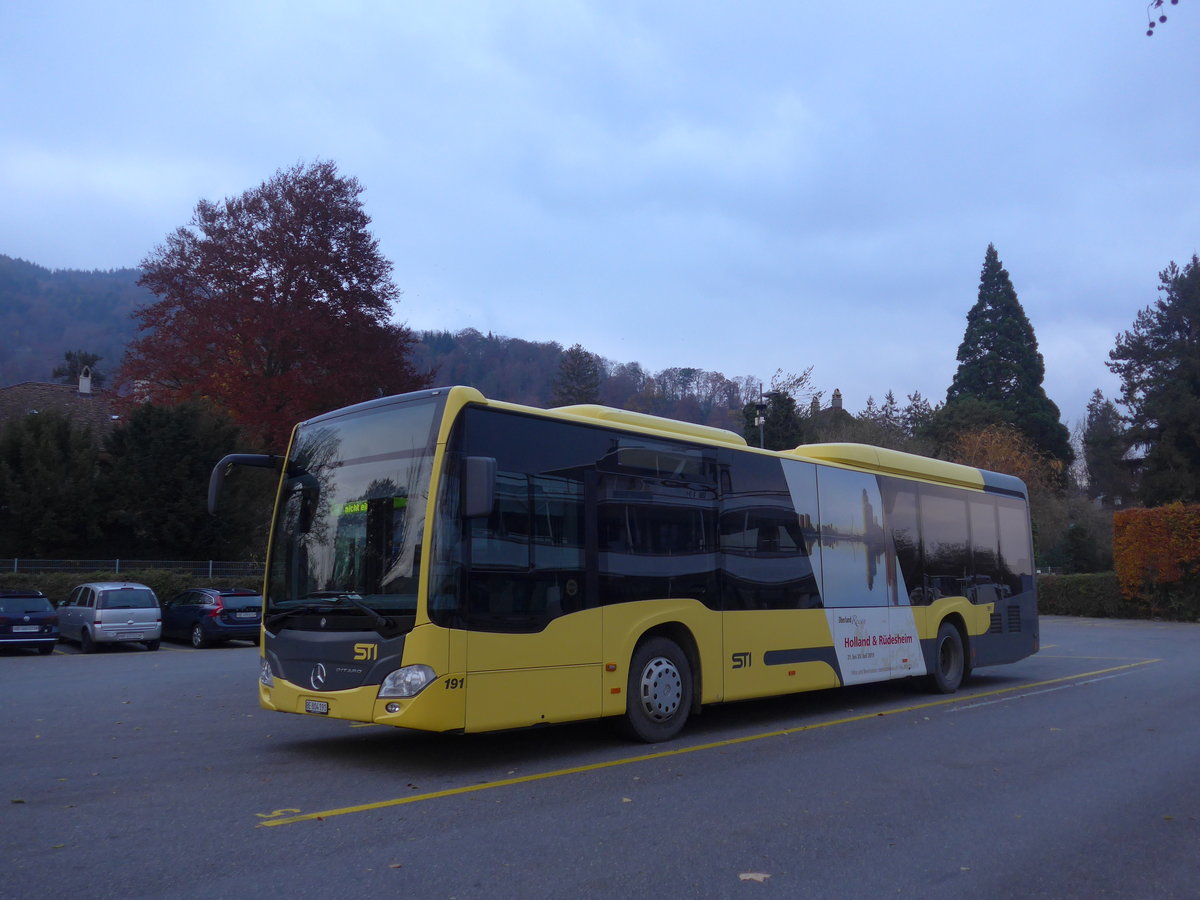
(1159, 363)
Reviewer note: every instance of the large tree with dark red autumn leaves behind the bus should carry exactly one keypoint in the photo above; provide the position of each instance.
(274, 307)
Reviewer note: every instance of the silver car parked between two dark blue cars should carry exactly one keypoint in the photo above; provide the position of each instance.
(111, 613)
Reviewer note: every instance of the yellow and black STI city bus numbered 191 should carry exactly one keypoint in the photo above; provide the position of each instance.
(445, 562)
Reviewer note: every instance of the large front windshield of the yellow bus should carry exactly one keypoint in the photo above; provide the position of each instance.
(352, 509)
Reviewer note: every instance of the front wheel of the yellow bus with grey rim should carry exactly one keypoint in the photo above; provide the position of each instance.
(659, 693)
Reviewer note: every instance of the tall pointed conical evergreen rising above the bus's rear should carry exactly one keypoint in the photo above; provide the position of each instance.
(1000, 365)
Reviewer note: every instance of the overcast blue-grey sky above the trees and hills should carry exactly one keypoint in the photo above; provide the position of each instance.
(739, 188)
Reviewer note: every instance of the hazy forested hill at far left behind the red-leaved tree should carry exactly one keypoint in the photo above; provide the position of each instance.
(45, 314)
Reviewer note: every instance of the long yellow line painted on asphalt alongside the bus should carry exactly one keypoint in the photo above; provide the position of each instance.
(280, 818)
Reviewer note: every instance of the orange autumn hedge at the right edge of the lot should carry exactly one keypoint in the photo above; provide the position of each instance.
(1156, 554)
